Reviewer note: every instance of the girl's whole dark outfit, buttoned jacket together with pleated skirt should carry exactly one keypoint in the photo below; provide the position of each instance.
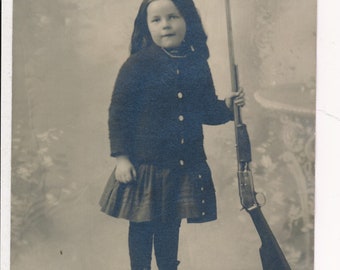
(158, 107)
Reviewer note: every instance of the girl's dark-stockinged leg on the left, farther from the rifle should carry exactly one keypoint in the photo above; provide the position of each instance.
(140, 245)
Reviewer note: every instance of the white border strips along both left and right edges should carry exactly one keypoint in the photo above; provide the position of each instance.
(327, 192)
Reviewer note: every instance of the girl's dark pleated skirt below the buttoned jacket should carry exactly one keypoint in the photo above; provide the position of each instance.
(162, 194)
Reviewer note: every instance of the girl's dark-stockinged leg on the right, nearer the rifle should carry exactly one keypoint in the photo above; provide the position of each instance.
(166, 240)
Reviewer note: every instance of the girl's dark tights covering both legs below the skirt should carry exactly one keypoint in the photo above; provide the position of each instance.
(165, 238)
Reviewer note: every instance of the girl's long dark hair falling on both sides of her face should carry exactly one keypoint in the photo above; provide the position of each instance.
(195, 35)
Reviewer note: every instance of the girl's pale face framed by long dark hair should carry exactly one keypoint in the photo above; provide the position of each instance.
(166, 25)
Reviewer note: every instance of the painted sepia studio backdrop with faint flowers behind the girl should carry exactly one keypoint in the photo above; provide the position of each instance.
(66, 57)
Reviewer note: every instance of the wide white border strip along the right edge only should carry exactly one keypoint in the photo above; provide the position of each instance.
(327, 232)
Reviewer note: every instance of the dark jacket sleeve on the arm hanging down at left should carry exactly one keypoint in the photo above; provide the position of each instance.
(122, 109)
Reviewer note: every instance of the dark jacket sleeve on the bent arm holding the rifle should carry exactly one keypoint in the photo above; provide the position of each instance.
(216, 111)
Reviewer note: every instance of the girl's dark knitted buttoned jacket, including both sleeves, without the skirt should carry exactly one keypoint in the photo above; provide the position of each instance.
(158, 107)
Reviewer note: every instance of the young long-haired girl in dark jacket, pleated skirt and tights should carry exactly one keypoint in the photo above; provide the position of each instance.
(163, 94)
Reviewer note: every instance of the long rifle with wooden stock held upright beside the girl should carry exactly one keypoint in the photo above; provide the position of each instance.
(272, 257)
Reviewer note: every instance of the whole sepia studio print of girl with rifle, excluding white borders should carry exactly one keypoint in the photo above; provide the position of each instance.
(163, 134)
